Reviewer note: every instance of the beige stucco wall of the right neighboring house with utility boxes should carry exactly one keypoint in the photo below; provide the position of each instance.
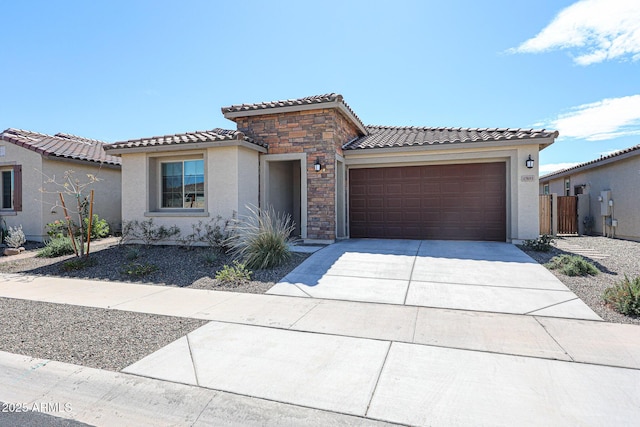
(622, 177)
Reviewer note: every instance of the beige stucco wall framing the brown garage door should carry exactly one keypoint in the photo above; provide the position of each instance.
(522, 183)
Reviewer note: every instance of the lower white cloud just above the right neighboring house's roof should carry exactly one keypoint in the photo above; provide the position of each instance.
(607, 119)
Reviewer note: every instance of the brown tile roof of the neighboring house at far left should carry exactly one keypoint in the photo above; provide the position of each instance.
(61, 145)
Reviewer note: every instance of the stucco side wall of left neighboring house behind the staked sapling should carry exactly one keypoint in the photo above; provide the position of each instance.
(107, 191)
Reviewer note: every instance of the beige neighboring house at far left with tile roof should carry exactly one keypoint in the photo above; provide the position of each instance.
(27, 159)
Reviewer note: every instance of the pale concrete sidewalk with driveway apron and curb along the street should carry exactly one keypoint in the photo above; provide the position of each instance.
(374, 362)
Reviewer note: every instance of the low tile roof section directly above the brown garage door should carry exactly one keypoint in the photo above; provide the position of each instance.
(393, 136)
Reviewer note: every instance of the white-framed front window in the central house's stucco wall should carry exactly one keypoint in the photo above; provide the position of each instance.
(183, 184)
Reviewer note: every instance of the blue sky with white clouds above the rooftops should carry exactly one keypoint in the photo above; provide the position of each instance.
(116, 70)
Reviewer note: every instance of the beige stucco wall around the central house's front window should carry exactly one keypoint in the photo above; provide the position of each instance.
(231, 184)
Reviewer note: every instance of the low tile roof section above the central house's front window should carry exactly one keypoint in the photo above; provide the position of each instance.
(212, 135)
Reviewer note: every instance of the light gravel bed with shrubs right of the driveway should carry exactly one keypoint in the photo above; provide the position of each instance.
(622, 257)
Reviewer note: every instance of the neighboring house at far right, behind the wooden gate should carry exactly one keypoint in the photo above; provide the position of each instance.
(619, 175)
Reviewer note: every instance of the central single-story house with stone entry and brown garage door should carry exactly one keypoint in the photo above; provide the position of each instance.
(314, 159)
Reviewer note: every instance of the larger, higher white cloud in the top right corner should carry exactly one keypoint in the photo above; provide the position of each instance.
(594, 30)
